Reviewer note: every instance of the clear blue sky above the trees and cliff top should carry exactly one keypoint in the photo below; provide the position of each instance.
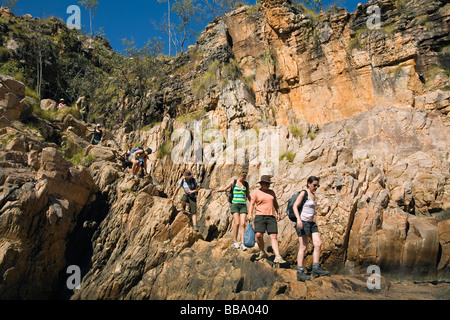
(121, 19)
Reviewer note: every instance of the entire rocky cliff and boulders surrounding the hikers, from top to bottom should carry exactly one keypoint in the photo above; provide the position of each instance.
(365, 110)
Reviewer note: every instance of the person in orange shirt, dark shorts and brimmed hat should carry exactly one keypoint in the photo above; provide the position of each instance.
(267, 215)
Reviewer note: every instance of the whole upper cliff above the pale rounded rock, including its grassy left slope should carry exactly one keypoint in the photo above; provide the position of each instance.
(277, 63)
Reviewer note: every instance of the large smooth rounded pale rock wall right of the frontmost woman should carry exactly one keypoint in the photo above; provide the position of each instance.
(372, 203)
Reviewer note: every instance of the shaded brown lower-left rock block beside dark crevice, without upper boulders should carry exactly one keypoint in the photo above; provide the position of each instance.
(38, 212)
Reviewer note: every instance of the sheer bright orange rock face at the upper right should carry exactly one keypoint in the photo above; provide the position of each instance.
(331, 66)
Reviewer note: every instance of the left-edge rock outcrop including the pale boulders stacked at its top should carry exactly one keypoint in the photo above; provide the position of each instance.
(41, 195)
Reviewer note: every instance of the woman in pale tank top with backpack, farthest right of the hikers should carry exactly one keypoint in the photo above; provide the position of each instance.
(306, 228)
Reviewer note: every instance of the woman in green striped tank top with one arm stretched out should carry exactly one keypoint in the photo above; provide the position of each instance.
(239, 210)
